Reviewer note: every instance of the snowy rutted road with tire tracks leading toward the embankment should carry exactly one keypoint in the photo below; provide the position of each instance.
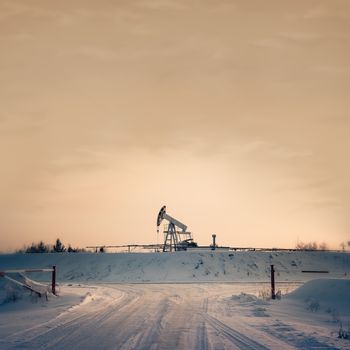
(166, 316)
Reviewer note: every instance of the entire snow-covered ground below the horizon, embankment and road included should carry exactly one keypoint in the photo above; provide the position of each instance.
(172, 305)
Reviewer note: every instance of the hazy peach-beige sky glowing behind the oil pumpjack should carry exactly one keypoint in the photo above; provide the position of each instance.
(234, 114)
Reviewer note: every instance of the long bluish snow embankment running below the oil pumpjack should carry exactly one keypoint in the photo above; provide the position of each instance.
(201, 266)
